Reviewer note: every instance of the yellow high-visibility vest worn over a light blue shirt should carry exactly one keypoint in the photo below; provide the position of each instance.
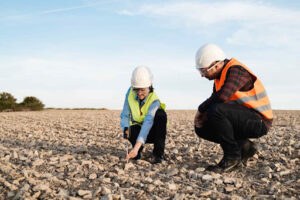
(138, 114)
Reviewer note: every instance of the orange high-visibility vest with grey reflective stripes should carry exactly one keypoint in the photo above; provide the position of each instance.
(256, 98)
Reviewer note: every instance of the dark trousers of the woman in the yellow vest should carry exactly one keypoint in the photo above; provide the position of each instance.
(157, 134)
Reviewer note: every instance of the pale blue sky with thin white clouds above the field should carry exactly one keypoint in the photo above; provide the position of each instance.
(81, 53)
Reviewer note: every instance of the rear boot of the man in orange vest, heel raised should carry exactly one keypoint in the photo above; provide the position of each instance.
(248, 149)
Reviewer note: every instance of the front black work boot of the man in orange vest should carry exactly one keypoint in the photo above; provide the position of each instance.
(225, 165)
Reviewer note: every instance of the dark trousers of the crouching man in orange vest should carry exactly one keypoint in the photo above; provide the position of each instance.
(229, 124)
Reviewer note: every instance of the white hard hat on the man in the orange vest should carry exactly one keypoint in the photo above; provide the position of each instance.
(208, 54)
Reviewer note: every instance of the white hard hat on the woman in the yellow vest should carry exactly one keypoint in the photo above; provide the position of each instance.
(141, 77)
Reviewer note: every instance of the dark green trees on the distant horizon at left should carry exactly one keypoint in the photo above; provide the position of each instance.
(9, 103)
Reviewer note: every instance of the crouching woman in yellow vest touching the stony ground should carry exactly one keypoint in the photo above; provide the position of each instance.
(143, 118)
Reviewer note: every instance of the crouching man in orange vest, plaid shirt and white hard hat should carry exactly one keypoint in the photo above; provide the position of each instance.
(238, 109)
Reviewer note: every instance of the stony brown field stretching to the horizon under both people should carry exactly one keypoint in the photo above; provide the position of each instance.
(67, 154)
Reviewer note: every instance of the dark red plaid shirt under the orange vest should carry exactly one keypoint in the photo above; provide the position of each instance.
(237, 79)
